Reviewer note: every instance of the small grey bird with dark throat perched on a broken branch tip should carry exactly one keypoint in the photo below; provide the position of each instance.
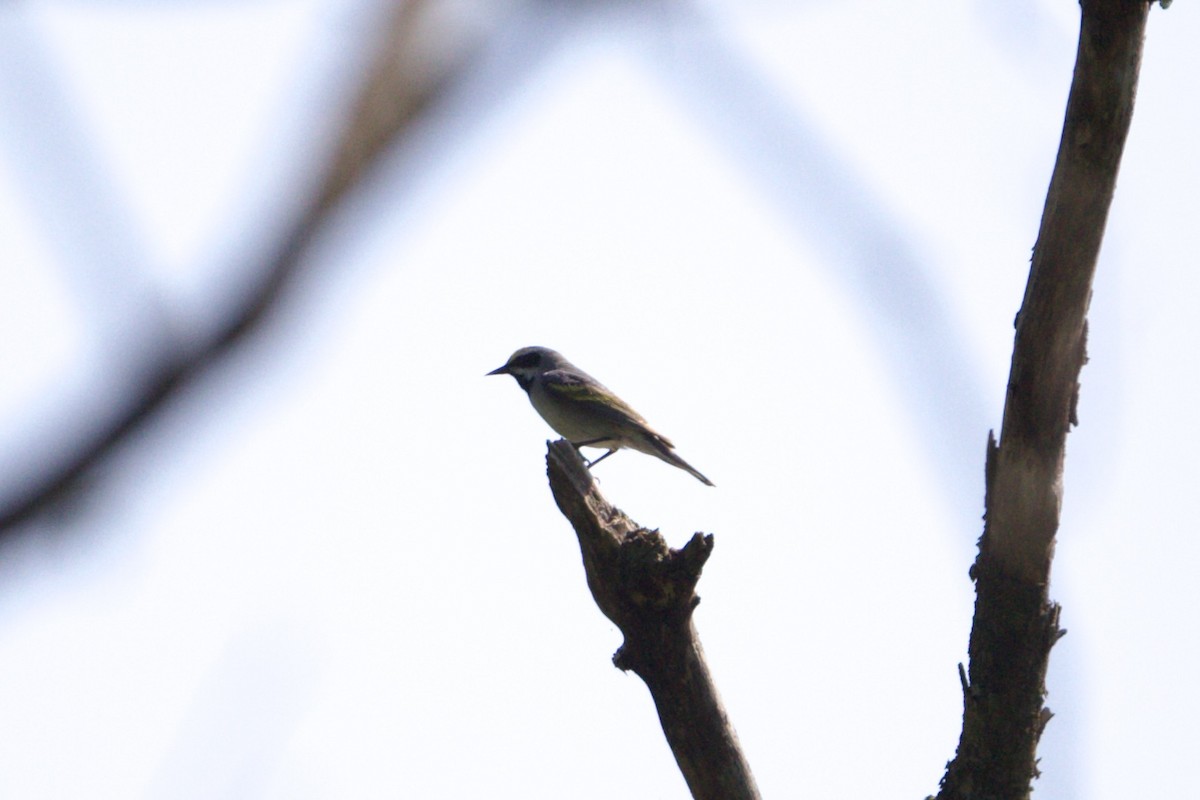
(583, 411)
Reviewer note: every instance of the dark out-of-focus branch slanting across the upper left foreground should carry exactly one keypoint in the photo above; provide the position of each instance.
(398, 87)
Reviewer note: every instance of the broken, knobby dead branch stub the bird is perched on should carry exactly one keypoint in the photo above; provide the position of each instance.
(649, 592)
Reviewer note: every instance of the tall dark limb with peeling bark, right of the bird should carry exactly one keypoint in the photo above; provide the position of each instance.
(1016, 624)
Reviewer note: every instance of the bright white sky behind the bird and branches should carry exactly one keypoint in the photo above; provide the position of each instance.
(335, 568)
